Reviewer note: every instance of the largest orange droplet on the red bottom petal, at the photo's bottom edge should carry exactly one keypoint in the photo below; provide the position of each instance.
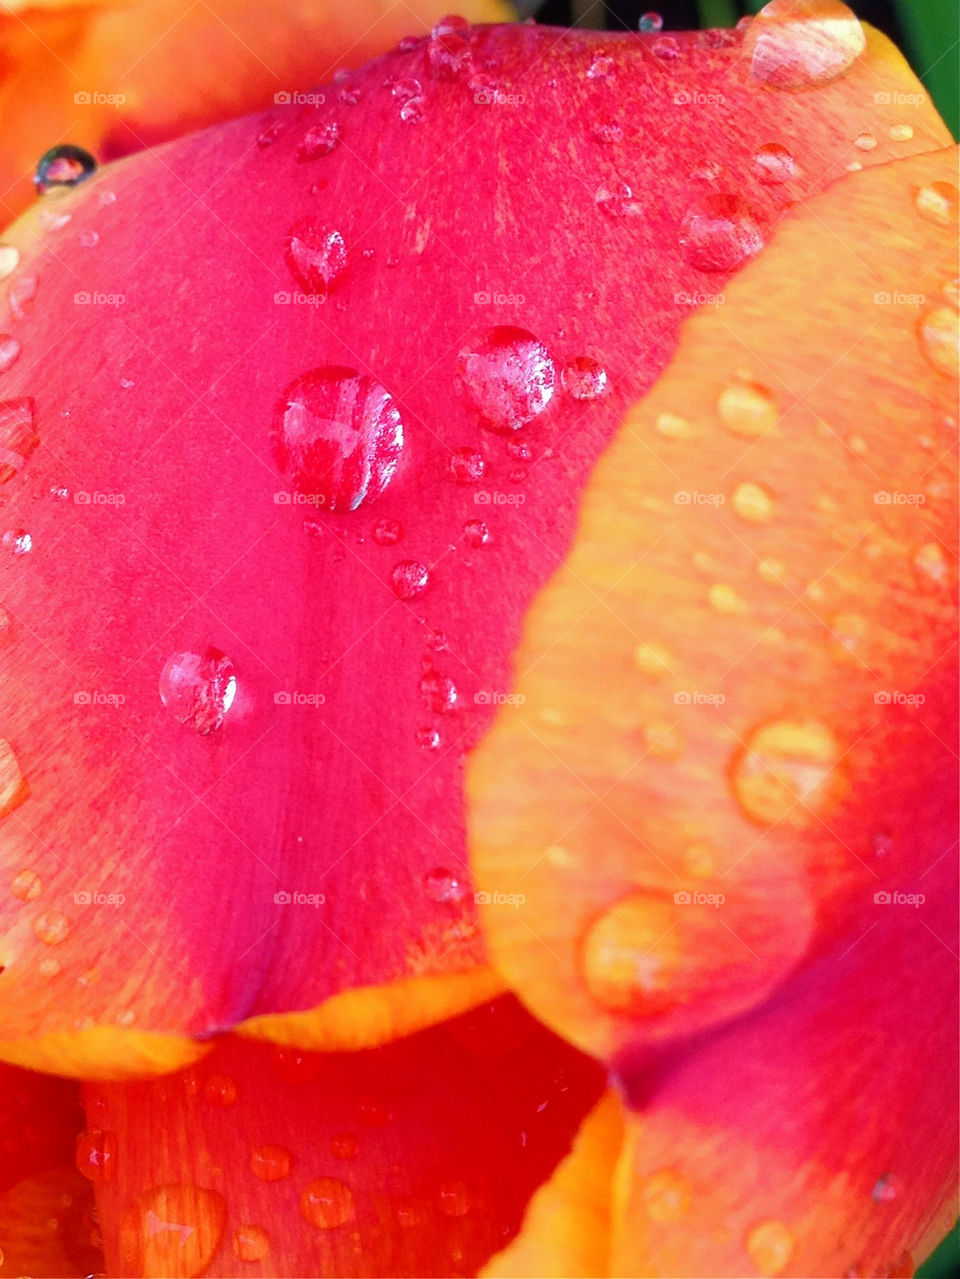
(173, 1230)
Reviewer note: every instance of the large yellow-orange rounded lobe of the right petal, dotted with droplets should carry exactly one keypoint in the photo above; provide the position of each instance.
(737, 694)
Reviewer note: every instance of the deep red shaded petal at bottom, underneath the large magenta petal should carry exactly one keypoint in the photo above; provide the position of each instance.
(415, 1159)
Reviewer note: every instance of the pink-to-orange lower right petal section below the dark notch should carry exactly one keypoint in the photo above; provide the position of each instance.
(819, 1138)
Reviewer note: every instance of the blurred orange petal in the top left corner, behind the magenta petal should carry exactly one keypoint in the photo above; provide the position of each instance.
(114, 79)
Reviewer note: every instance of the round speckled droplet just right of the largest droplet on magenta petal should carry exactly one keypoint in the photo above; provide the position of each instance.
(508, 378)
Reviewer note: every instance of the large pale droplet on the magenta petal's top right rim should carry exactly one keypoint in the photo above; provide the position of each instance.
(803, 44)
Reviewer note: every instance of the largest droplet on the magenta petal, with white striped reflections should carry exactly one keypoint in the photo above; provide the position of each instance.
(339, 437)
